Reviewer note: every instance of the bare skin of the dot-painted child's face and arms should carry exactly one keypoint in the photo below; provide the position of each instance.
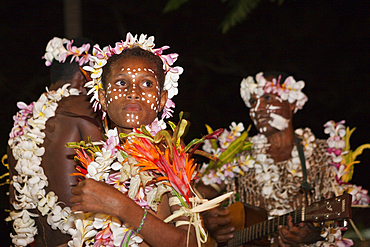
(99, 197)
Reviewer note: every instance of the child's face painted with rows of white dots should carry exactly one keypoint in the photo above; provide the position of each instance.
(134, 94)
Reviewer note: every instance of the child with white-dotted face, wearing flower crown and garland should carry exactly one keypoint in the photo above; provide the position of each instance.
(136, 83)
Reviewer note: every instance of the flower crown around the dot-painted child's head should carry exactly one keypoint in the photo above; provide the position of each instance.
(102, 55)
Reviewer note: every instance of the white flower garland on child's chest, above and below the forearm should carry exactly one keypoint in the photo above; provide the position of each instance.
(126, 178)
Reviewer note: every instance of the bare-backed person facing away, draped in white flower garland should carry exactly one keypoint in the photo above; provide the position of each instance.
(39, 160)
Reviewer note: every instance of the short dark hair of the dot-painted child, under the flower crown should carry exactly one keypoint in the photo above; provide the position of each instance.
(138, 53)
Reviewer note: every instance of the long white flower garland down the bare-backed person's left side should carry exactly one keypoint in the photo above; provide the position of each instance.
(25, 139)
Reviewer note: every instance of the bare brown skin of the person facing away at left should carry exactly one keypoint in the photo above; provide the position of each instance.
(57, 161)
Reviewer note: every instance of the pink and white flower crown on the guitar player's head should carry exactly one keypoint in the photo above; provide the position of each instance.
(290, 90)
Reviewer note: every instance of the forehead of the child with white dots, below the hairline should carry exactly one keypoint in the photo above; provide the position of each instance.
(125, 63)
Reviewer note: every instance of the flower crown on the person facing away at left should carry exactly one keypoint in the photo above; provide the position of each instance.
(55, 49)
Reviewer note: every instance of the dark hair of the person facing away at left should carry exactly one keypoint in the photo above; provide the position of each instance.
(66, 71)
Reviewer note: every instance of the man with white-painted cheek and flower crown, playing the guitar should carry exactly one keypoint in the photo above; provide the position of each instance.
(285, 169)
